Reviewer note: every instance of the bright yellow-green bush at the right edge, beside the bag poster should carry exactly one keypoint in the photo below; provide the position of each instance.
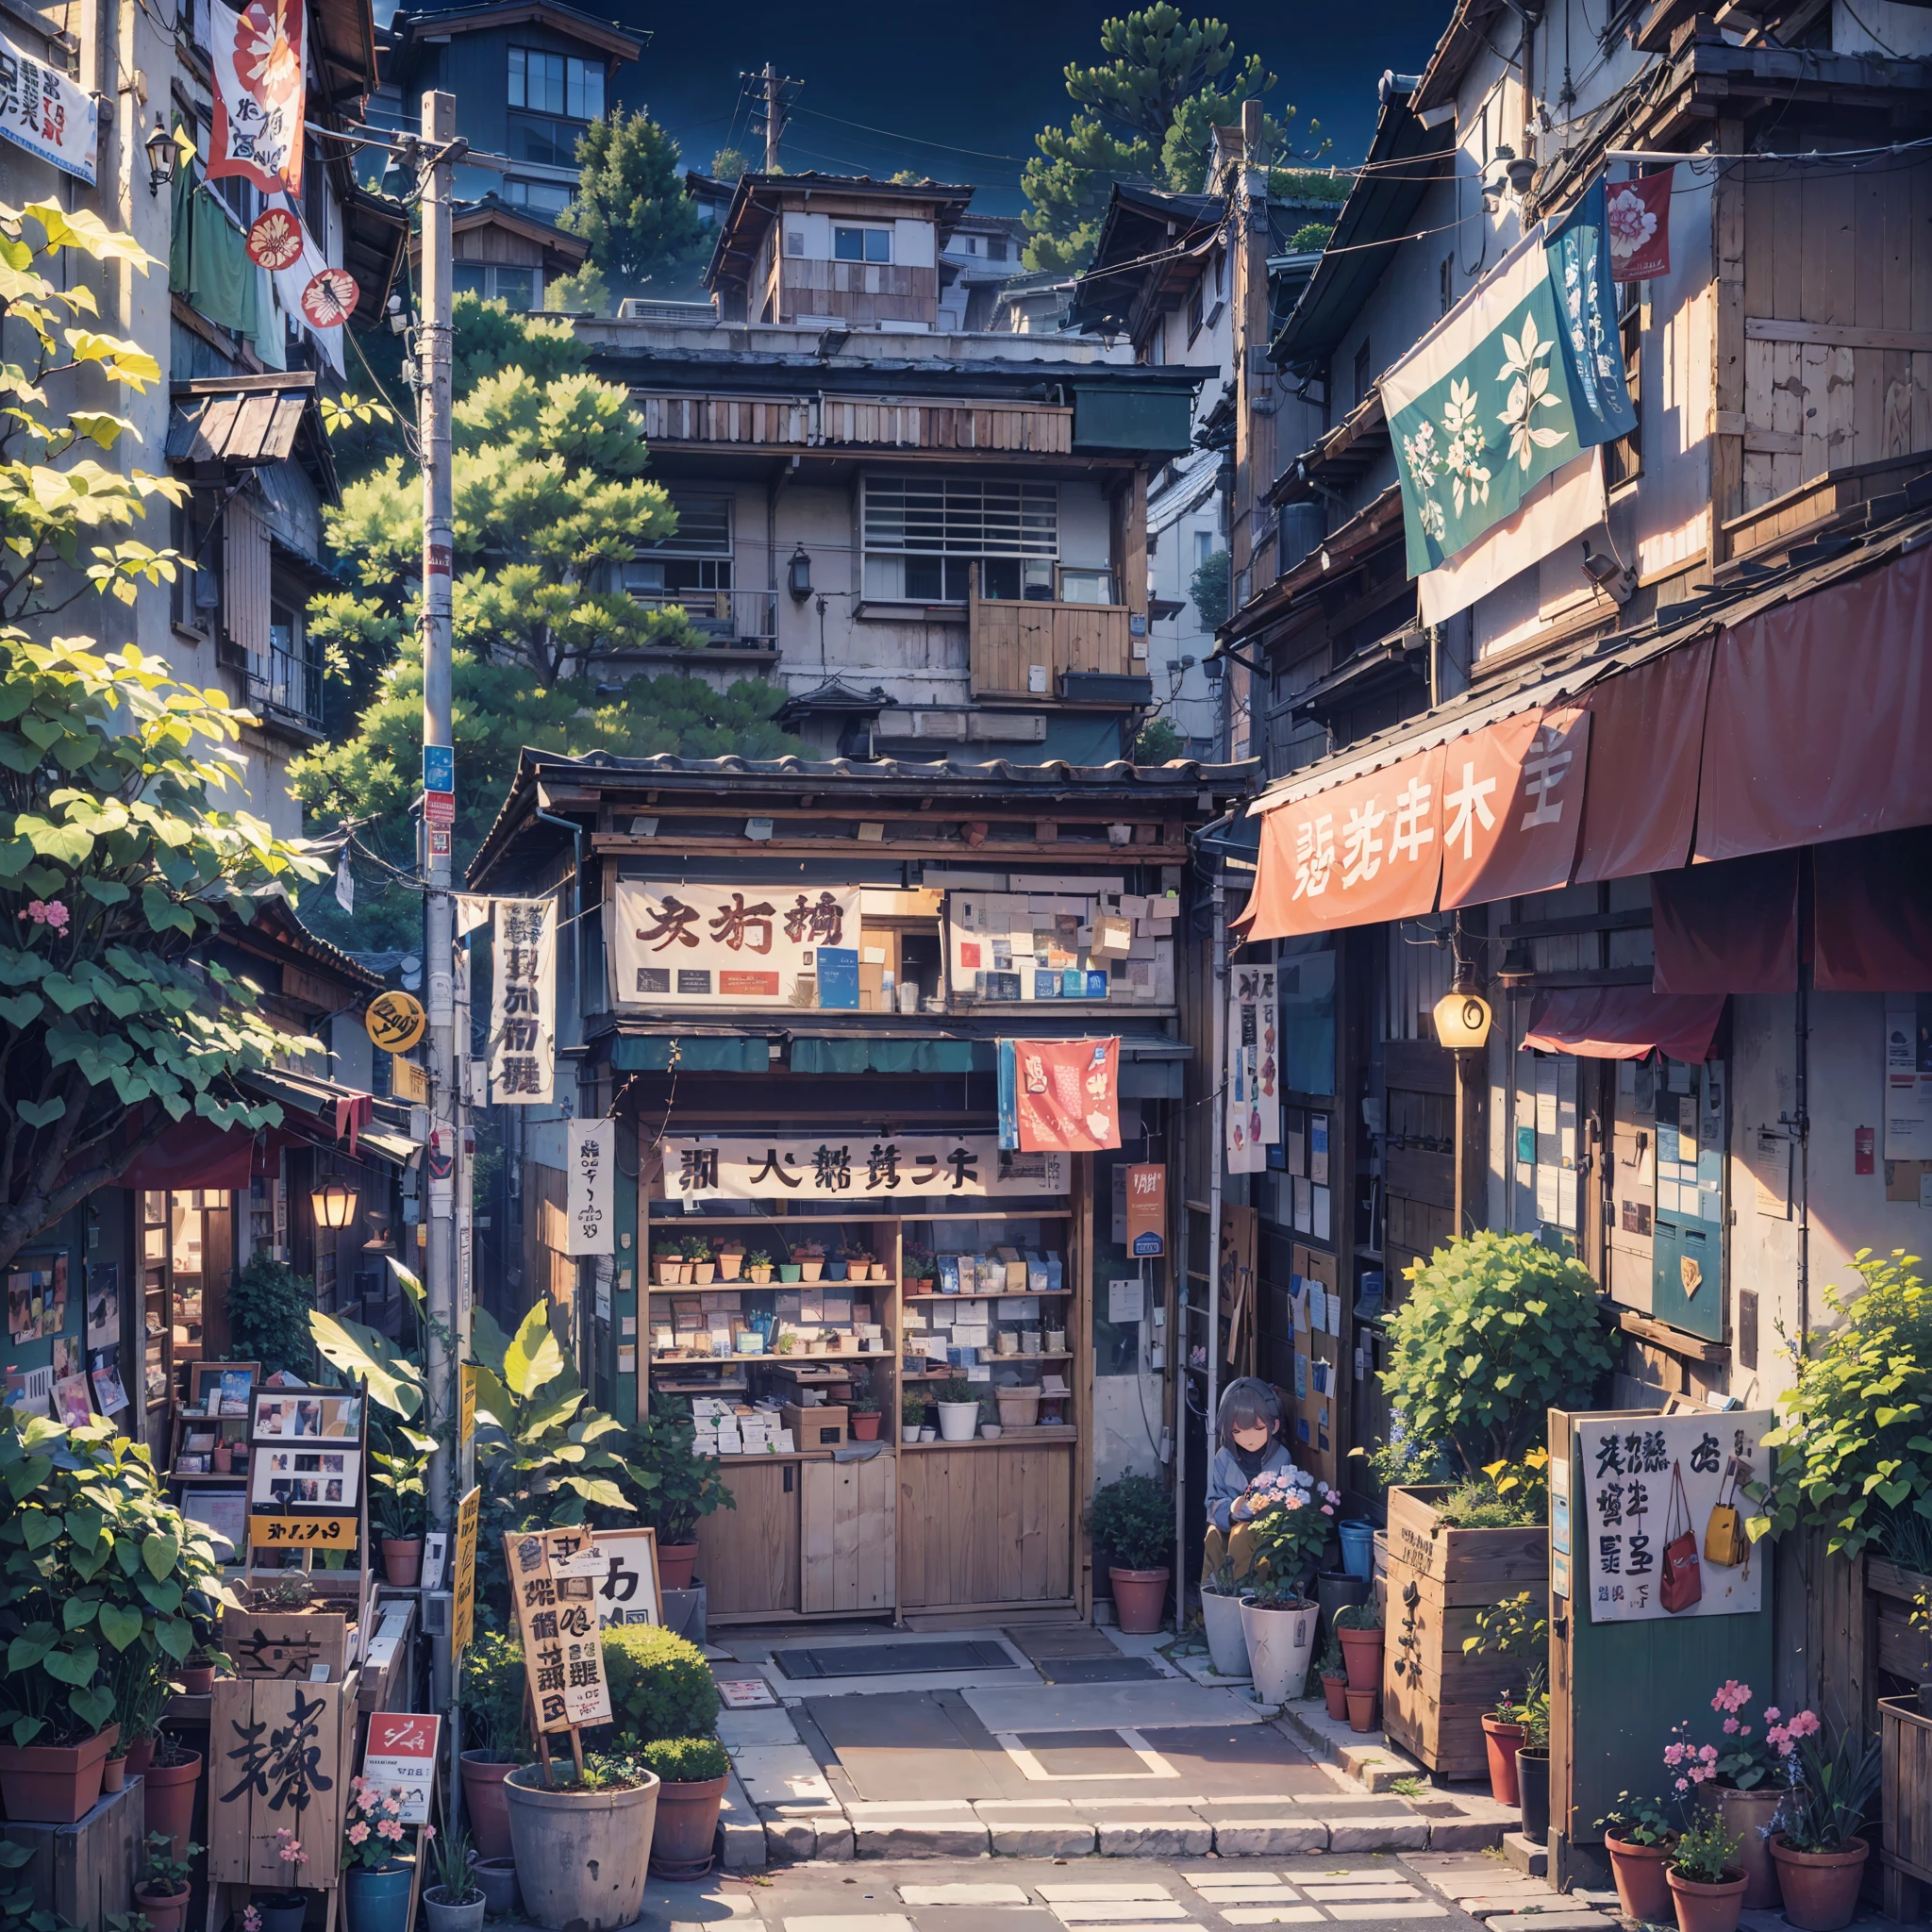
(1856, 1440)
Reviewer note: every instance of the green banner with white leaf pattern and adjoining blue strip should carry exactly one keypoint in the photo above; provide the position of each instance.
(1516, 382)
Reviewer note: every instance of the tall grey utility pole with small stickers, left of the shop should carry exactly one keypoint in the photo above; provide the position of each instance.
(443, 1160)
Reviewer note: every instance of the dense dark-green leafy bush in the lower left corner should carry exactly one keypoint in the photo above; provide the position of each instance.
(105, 1583)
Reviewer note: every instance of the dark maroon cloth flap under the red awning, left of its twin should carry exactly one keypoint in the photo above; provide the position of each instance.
(1728, 928)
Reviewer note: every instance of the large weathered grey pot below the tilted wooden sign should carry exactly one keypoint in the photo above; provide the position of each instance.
(582, 1844)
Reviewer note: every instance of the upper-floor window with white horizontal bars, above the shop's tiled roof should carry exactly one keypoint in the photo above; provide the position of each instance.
(923, 536)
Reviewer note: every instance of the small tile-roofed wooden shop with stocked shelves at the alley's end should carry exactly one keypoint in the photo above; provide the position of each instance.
(901, 1338)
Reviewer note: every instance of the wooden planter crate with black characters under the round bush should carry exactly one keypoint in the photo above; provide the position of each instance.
(1433, 1695)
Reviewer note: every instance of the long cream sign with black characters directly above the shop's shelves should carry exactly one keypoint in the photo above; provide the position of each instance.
(855, 1168)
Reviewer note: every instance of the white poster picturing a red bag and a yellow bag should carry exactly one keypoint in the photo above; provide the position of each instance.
(1664, 1516)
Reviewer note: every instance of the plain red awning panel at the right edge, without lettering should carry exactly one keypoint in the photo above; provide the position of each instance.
(1819, 718)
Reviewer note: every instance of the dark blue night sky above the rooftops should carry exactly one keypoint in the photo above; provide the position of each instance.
(984, 76)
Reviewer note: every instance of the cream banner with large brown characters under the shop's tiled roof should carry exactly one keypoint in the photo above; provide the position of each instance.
(756, 946)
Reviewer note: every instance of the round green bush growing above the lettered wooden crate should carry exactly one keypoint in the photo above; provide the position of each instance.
(1496, 1330)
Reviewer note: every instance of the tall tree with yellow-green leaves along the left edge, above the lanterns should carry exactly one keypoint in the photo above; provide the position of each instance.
(117, 867)
